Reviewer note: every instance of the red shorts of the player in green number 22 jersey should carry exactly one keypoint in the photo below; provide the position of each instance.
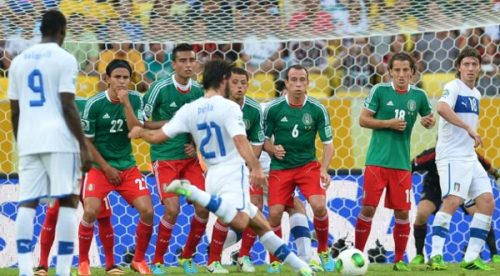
(132, 186)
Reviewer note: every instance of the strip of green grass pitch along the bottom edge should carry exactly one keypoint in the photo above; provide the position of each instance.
(374, 269)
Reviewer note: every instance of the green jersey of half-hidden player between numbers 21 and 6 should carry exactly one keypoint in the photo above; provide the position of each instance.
(252, 116)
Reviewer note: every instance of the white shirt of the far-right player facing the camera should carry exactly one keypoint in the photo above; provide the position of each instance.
(453, 142)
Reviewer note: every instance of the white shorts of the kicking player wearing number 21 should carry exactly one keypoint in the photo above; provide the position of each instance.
(230, 183)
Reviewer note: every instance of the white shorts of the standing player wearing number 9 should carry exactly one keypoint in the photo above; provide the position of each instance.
(54, 175)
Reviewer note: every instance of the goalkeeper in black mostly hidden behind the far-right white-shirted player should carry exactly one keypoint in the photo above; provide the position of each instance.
(431, 202)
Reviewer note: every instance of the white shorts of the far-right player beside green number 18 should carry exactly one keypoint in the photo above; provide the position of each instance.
(465, 179)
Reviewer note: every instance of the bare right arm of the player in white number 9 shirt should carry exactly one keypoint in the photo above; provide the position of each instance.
(72, 119)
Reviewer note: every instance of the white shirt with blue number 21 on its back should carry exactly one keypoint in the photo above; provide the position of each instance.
(213, 122)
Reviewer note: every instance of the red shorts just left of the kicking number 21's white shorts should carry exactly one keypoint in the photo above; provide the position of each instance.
(167, 171)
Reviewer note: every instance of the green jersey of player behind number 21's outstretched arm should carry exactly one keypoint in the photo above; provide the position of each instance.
(161, 103)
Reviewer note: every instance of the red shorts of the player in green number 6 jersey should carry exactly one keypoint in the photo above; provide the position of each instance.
(282, 183)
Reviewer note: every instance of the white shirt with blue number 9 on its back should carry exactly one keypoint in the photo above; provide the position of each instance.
(36, 78)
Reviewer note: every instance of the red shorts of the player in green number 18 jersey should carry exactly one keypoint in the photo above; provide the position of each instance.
(397, 182)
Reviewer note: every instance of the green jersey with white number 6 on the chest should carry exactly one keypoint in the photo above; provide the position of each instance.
(295, 128)
